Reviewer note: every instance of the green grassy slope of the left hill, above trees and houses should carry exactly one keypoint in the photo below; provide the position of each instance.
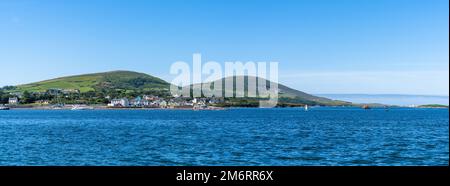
(98, 81)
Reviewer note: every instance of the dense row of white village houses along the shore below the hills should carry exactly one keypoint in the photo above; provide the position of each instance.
(157, 102)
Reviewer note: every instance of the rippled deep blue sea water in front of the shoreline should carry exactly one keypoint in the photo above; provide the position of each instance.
(279, 136)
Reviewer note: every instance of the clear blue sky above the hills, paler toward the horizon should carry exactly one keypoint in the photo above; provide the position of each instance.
(322, 46)
